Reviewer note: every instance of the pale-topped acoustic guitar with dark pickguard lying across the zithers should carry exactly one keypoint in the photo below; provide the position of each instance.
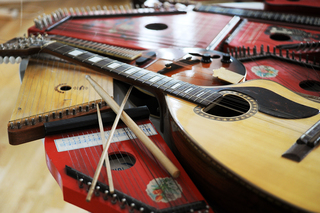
(255, 143)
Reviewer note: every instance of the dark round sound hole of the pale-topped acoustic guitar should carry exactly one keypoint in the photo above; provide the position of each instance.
(228, 106)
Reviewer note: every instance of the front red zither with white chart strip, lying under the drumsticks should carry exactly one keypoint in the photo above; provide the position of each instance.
(139, 180)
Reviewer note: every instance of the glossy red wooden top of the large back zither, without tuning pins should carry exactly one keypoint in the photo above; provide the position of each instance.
(192, 29)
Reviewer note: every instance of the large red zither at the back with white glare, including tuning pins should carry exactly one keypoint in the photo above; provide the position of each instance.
(136, 29)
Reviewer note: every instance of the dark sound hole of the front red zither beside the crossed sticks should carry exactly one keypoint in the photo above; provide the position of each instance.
(121, 161)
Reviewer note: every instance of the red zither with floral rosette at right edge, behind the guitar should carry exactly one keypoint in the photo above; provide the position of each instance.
(297, 74)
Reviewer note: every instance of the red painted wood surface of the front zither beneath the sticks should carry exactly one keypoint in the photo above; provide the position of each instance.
(132, 181)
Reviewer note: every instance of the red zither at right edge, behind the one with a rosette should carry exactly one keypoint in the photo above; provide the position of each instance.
(255, 34)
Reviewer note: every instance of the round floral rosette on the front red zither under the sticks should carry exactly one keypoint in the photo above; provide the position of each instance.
(164, 190)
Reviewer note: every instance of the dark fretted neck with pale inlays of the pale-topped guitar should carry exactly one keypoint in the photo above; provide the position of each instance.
(134, 75)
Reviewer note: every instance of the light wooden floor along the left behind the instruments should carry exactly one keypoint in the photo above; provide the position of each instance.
(26, 183)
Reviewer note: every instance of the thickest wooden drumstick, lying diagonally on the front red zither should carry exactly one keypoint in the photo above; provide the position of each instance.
(166, 163)
